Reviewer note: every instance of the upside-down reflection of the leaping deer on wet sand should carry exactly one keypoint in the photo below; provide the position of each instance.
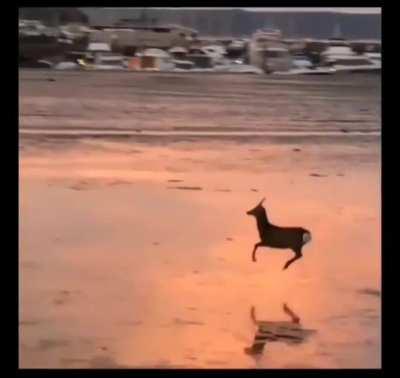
(290, 332)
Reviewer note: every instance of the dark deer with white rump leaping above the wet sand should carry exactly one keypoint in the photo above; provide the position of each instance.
(273, 236)
